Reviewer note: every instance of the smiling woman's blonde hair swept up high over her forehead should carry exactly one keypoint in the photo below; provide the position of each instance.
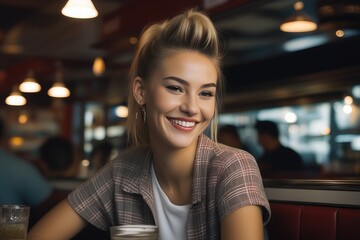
(192, 30)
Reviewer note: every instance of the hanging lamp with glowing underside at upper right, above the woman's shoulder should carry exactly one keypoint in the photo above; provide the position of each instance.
(299, 21)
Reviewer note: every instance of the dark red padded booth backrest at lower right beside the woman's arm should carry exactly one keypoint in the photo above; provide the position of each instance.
(290, 221)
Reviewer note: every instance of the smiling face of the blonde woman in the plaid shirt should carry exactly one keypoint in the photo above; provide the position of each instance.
(180, 99)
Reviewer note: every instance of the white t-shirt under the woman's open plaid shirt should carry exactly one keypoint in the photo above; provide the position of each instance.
(171, 218)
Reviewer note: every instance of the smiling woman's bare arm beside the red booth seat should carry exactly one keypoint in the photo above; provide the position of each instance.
(244, 224)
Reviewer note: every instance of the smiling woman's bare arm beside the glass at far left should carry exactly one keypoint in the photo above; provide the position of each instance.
(62, 222)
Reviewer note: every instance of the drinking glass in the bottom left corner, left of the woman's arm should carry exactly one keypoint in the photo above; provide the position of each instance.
(14, 220)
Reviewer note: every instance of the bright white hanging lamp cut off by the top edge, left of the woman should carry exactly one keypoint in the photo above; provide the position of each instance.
(82, 9)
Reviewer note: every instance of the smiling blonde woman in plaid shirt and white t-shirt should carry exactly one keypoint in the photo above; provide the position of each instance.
(174, 176)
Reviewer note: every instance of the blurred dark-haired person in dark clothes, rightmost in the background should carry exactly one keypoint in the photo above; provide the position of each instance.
(275, 157)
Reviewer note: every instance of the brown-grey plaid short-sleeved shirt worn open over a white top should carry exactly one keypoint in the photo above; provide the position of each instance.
(224, 180)
